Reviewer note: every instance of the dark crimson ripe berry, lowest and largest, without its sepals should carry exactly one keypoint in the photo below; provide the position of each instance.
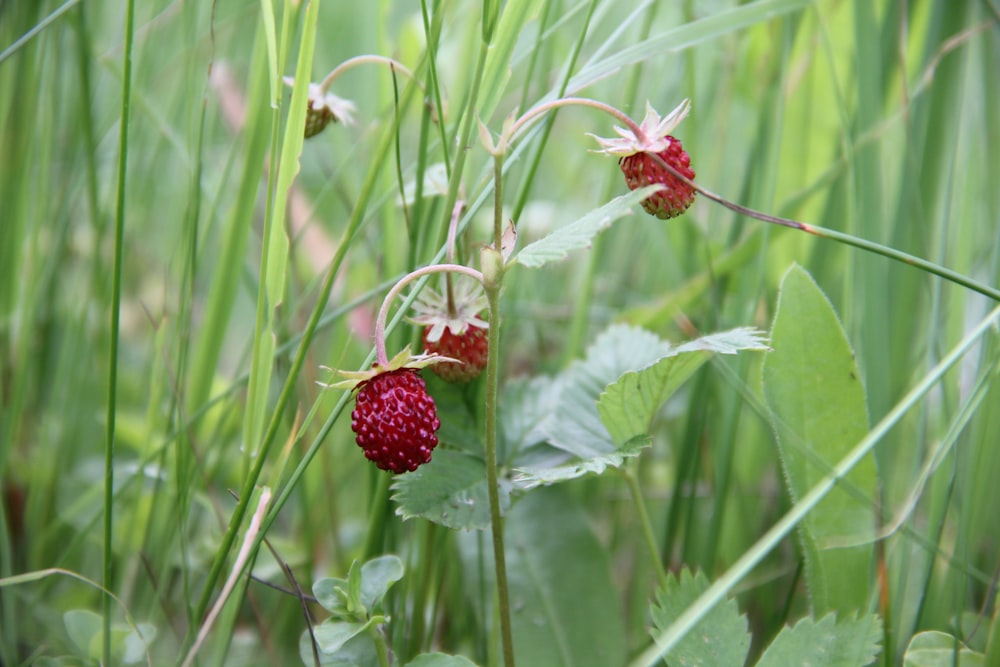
(395, 420)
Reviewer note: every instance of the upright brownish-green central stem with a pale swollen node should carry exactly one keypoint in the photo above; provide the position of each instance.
(493, 274)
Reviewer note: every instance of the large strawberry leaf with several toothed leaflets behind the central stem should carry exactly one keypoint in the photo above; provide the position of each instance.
(558, 430)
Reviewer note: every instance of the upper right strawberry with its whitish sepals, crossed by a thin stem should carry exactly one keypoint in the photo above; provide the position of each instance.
(641, 158)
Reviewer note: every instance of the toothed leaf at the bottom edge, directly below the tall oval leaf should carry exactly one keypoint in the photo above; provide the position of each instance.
(852, 642)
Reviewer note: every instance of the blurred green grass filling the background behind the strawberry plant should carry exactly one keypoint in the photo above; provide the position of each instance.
(177, 266)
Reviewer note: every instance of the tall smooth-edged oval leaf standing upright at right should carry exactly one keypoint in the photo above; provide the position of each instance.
(817, 406)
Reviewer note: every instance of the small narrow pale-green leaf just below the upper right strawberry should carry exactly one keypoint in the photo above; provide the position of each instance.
(580, 234)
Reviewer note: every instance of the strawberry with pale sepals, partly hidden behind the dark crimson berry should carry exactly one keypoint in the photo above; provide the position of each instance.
(453, 329)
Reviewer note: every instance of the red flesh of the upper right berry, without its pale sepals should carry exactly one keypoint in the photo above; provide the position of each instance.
(643, 169)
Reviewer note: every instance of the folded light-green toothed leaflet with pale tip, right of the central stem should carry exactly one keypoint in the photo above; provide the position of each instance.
(628, 405)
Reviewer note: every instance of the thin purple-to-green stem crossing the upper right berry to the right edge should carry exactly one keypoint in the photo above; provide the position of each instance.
(840, 237)
